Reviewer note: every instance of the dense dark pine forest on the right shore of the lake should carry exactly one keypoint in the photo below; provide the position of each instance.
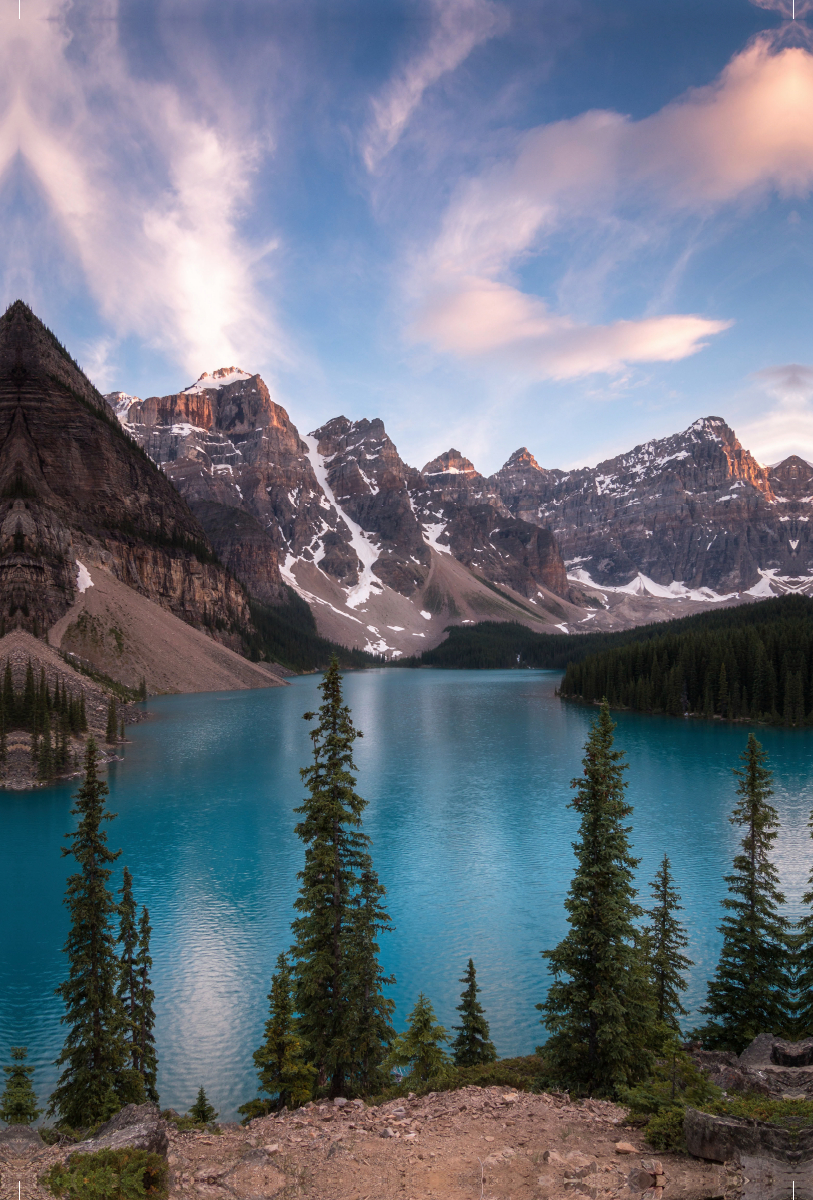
(751, 663)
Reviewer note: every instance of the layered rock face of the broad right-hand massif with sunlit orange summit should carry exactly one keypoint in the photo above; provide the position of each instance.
(695, 508)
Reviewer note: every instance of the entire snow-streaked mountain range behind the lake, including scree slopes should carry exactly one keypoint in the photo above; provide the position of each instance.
(388, 555)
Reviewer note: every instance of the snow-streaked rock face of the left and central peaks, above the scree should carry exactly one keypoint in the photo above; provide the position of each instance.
(342, 499)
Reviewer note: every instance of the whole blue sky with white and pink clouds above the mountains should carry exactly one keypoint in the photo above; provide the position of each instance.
(571, 226)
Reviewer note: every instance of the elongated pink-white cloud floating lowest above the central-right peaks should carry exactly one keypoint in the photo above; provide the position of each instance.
(484, 317)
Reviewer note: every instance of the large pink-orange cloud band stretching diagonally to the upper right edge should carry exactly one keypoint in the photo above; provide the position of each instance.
(748, 134)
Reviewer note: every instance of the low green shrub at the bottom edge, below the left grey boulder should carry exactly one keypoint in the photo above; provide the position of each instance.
(110, 1175)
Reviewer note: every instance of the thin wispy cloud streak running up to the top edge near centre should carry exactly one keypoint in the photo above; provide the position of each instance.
(459, 27)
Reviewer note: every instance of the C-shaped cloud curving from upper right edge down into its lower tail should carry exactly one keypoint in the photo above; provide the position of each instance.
(743, 136)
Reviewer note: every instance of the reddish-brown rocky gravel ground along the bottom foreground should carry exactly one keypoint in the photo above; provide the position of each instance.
(474, 1144)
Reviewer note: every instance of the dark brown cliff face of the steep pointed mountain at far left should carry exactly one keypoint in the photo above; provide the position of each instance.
(71, 482)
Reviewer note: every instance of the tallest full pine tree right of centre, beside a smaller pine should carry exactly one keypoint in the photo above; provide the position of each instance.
(600, 1007)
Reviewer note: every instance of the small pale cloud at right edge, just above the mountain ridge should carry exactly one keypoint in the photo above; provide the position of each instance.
(785, 428)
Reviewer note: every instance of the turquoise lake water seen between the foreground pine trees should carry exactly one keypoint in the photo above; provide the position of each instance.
(468, 782)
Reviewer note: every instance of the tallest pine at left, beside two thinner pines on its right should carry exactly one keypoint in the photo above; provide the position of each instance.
(95, 1053)
